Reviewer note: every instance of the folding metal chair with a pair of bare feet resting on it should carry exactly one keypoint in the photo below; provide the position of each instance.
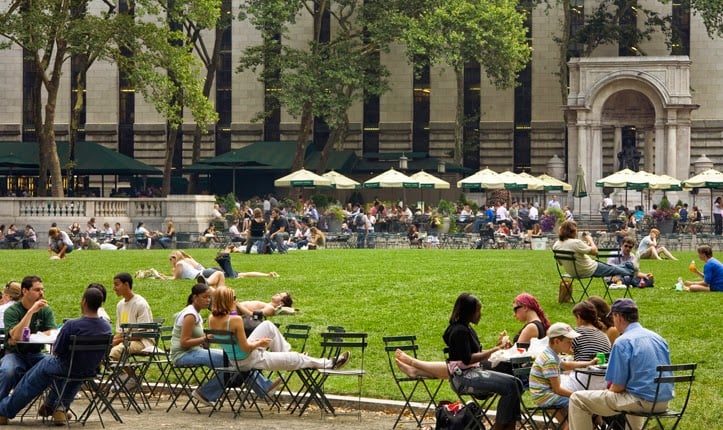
(408, 344)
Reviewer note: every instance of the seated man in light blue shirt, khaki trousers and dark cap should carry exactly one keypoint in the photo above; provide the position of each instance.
(630, 375)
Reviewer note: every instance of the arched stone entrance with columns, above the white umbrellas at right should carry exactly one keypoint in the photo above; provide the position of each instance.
(646, 98)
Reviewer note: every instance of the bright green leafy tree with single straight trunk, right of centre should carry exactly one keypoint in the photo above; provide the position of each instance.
(457, 32)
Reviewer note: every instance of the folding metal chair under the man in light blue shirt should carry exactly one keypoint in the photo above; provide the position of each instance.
(682, 377)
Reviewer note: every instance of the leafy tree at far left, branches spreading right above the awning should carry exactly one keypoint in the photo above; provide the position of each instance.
(51, 32)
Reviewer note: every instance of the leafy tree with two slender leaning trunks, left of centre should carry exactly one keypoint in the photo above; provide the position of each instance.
(324, 78)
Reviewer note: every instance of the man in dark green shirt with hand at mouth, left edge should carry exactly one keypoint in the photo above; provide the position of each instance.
(31, 311)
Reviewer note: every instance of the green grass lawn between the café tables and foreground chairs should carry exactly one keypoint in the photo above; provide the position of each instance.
(404, 291)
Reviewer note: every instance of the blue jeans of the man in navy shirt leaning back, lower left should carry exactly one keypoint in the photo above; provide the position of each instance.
(49, 370)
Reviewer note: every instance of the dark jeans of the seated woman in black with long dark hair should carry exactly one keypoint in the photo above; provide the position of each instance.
(480, 381)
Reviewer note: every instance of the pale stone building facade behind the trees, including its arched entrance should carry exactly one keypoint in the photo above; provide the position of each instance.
(672, 105)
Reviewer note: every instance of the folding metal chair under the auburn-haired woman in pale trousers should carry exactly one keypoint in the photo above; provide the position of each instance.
(234, 380)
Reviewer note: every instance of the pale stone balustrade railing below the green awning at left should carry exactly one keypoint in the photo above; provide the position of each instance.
(189, 213)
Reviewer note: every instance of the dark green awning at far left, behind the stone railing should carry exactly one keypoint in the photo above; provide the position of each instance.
(90, 159)
